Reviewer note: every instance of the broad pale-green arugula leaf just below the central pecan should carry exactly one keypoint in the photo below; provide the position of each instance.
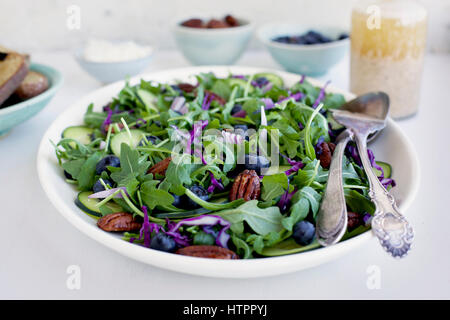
(262, 221)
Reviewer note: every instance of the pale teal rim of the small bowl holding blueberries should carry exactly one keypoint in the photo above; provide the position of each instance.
(300, 47)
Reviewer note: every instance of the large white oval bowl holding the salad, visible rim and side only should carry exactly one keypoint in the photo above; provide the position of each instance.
(391, 146)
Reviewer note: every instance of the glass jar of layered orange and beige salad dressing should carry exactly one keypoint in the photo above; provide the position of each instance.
(387, 51)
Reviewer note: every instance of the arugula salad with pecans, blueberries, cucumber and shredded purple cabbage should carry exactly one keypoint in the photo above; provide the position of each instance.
(229, 168)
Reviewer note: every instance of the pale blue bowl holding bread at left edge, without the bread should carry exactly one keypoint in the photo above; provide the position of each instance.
(18, 113)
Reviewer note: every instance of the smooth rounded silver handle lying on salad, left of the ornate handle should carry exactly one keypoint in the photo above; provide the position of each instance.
(331, 220)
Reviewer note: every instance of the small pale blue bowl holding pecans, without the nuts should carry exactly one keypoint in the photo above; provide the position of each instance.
(213, 46)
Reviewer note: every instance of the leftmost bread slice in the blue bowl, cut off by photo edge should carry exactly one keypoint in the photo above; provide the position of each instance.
(13, 69)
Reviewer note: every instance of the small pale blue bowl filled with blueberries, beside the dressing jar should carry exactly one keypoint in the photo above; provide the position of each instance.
(305, 50)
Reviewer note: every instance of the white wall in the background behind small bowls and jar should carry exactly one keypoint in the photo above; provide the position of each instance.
(41, 24)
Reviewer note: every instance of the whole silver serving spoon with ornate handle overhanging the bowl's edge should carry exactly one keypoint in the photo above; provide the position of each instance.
(364, 116)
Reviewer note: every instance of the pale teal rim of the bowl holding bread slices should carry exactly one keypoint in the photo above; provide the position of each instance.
(56, 80)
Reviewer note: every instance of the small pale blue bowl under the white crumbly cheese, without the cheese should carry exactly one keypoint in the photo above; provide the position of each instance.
(107, 72)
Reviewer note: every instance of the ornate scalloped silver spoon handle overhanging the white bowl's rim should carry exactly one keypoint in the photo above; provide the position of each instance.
(392, 229)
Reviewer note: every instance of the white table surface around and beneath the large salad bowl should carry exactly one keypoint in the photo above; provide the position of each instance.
(37, 244)
